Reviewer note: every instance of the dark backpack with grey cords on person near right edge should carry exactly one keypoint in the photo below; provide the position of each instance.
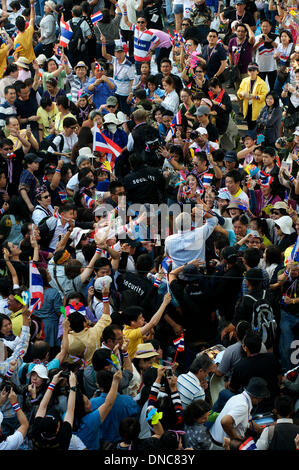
(263, 320)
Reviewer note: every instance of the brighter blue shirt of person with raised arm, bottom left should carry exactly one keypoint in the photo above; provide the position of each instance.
(90, 430)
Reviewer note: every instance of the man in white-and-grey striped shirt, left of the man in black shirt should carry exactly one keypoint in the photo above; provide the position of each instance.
(191, 385)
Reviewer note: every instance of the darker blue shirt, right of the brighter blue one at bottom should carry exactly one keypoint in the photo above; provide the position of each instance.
(123, 407)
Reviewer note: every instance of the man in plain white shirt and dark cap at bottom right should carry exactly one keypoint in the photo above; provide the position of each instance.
(235, 417)
